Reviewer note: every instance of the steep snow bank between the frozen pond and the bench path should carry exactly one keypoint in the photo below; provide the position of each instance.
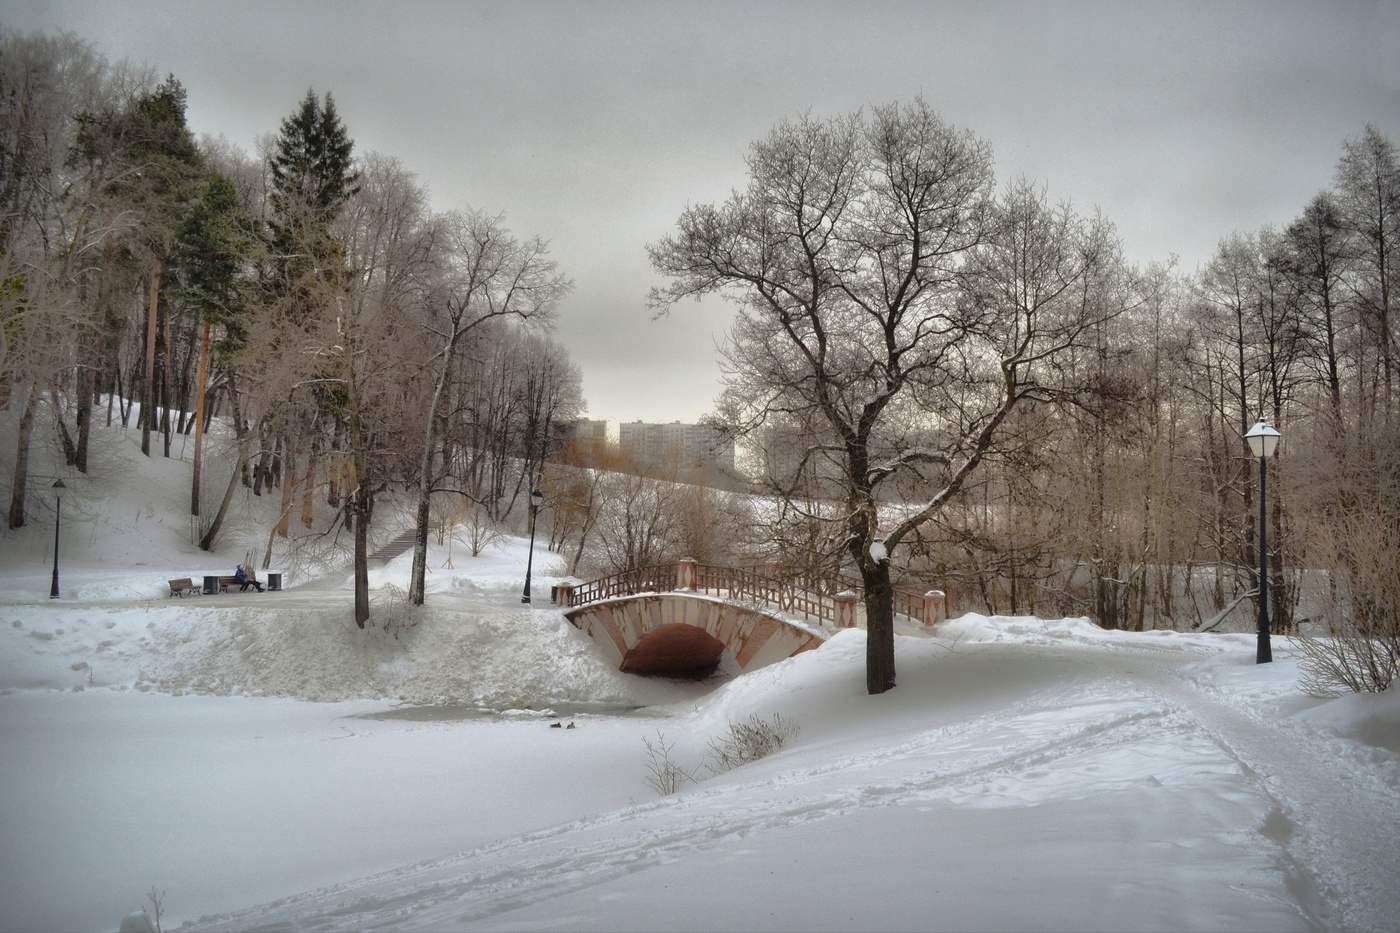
(496, 659)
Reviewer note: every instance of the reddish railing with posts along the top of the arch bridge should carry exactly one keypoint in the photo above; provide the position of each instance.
(814, 600)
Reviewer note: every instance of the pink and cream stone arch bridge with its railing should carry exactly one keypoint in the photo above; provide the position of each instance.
(682, 618)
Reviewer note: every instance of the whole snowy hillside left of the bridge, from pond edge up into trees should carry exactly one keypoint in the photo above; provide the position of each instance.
(127, 532)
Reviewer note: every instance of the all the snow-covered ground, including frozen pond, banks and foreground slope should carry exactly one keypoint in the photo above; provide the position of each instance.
(268, 766)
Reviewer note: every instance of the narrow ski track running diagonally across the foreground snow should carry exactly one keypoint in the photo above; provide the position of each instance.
(467, 890)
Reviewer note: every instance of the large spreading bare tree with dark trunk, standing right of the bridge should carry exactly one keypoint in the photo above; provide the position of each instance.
(892, 306)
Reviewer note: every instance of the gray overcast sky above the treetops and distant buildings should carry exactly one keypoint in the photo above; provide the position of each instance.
(594, 124)
